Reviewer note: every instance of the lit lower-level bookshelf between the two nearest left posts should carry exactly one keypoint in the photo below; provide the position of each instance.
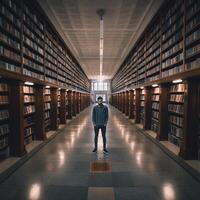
(29, 113)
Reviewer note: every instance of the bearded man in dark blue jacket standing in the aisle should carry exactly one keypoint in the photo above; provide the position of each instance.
(100, 119)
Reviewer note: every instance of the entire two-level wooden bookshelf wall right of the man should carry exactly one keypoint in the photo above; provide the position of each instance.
(167, 50)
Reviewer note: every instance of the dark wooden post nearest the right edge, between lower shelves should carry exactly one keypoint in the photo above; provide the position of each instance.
(189, 146)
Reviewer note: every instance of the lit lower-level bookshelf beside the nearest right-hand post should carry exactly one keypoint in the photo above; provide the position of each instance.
(176, 116)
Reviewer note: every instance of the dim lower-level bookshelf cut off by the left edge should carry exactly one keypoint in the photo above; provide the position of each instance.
(4, 116)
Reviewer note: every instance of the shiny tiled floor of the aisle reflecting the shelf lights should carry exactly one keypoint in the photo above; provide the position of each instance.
(62, 169)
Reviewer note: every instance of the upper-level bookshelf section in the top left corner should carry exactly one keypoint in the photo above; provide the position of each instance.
(10, 27)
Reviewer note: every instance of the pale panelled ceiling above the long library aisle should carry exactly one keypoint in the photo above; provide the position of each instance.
(78, 23)
